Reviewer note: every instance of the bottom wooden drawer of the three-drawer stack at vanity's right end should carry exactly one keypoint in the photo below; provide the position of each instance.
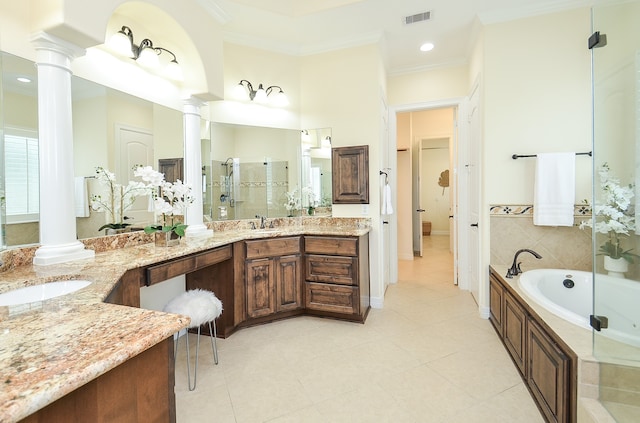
(332, 298)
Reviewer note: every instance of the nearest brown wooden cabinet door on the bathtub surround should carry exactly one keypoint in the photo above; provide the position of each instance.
(548, 374)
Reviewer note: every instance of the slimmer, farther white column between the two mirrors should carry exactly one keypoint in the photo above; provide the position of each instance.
(193, 168)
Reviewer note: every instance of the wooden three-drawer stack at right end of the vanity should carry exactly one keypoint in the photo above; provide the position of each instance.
(337, 276)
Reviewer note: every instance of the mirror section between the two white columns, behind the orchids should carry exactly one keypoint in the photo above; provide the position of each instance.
(117, 131)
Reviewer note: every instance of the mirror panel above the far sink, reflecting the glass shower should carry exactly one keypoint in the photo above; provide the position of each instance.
(250, 171)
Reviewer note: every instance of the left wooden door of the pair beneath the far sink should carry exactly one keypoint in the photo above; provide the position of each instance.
(261, 300)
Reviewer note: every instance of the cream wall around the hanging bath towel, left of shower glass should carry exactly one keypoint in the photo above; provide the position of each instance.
(537, 99)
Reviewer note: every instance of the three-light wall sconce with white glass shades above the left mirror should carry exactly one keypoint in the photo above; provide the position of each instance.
(146, 54)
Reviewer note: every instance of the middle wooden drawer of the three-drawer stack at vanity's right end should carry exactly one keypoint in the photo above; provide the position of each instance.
(331, 269)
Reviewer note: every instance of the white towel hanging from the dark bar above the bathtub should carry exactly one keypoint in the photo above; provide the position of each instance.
(555, 189)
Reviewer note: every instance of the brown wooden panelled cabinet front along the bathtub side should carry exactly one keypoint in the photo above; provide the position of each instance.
(547, 365)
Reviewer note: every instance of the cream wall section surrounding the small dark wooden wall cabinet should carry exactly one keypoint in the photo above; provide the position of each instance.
(343, 90)
